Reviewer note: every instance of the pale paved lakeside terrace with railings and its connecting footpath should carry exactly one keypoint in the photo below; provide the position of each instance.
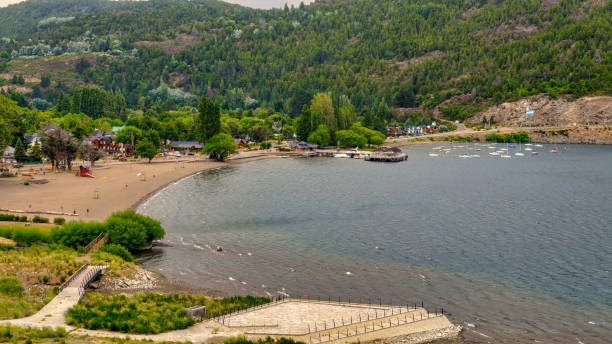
(309, 321)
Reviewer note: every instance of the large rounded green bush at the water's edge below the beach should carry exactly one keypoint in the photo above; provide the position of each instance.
(133, 231)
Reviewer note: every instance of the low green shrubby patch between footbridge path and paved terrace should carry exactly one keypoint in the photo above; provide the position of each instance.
(149, 313)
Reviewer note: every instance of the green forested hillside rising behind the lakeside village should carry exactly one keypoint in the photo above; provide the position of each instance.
(457, 56)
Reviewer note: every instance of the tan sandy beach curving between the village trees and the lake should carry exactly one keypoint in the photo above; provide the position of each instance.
(116, 186)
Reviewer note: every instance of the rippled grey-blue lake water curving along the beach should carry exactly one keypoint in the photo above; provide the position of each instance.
(516, 250)
